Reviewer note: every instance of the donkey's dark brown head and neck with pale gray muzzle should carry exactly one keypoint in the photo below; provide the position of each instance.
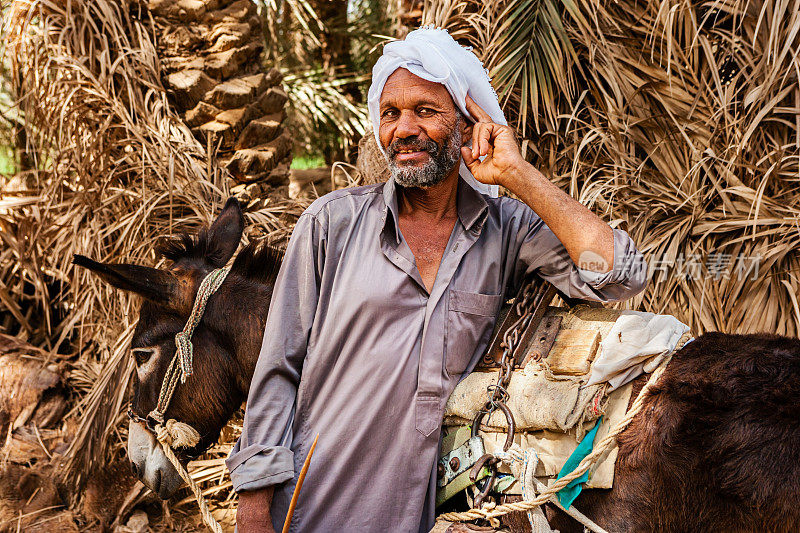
(225, 342)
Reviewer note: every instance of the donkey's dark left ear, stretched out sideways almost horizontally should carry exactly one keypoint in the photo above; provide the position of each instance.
(155, 285)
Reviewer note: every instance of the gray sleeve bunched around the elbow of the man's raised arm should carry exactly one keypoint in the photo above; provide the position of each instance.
(540, 251)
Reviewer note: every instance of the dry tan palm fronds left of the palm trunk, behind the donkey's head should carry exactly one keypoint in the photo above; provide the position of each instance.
(116, 168)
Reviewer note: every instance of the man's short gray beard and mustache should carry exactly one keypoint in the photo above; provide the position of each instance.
(441, 161)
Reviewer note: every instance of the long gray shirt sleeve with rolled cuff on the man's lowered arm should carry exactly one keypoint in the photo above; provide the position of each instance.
(262, 456)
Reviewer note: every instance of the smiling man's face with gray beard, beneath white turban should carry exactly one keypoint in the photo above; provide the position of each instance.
(421, 130)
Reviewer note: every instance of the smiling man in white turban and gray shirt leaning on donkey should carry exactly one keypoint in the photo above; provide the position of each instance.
(388, 294)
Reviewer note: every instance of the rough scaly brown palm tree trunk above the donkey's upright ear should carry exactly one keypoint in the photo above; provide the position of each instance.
(211, 58)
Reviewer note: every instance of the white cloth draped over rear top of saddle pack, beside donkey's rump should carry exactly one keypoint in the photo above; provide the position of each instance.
(637, 342)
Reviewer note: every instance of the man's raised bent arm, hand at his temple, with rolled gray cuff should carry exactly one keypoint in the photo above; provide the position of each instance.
(568, 244)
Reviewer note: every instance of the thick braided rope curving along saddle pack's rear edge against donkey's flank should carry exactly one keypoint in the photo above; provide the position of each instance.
(496, 511)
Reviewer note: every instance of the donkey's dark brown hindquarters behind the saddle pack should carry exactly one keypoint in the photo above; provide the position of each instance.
(716, 446)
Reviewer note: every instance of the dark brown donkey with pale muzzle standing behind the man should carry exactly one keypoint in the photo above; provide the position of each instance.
(716, 447)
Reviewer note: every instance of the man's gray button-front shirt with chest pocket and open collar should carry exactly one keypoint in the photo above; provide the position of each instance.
(356, 350)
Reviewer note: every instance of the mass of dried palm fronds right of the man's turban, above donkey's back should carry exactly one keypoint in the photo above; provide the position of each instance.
(684, 127)
